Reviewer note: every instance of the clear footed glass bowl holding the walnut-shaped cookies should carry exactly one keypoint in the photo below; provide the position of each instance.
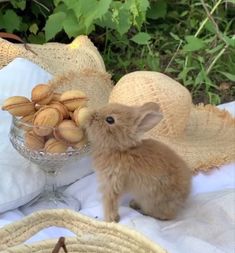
(51, 155)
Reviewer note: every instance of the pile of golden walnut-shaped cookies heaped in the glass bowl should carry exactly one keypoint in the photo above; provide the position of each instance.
(51, 121)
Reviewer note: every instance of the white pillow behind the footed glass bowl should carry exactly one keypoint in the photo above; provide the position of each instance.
(18, 178)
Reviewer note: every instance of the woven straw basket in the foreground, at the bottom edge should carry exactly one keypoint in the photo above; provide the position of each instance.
(90, 235)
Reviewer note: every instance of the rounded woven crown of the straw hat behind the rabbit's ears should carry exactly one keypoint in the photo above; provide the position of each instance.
(174, 99)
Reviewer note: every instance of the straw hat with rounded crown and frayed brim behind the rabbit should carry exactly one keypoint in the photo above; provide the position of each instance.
(203, 135)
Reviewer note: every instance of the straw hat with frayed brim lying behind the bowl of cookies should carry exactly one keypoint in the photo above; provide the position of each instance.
(77, 65)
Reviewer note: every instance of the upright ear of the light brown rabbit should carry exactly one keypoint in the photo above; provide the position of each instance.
(148, 116)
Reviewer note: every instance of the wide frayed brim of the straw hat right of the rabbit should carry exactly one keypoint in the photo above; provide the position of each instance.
(207, 142)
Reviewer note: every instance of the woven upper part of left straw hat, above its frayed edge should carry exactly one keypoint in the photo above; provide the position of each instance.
(56, 58)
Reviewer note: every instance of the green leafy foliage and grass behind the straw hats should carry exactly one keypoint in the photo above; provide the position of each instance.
(175, 37)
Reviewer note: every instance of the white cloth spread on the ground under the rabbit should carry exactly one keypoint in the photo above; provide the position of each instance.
(205, 225)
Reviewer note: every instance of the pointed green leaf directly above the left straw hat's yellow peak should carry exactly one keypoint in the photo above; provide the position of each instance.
(71, 25)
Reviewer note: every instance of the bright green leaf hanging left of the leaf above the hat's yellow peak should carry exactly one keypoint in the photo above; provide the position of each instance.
(54, 24)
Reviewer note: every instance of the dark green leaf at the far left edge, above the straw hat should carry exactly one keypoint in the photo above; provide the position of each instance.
(10, 21)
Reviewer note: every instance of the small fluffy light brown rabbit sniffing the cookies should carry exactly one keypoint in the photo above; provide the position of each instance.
(156, 176)
